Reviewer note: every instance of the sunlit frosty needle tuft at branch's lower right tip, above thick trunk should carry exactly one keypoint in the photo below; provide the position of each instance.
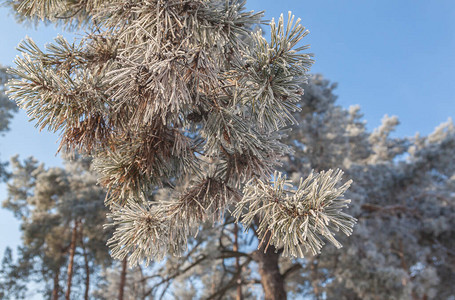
(296, 219)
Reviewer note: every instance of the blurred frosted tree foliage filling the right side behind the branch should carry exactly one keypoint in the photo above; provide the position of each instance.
(403, 198)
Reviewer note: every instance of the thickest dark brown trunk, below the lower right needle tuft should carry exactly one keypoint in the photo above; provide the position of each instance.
(271, 279)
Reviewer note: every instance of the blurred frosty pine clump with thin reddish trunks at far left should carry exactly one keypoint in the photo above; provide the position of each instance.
(62, 216)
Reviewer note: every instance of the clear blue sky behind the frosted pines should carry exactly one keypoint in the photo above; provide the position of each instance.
(390, 57)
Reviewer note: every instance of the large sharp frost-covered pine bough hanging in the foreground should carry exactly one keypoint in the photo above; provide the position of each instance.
(182, 94)
